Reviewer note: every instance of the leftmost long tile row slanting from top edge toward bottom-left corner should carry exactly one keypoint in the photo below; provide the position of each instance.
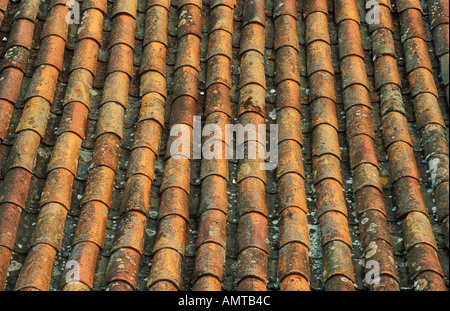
(38, 99)
